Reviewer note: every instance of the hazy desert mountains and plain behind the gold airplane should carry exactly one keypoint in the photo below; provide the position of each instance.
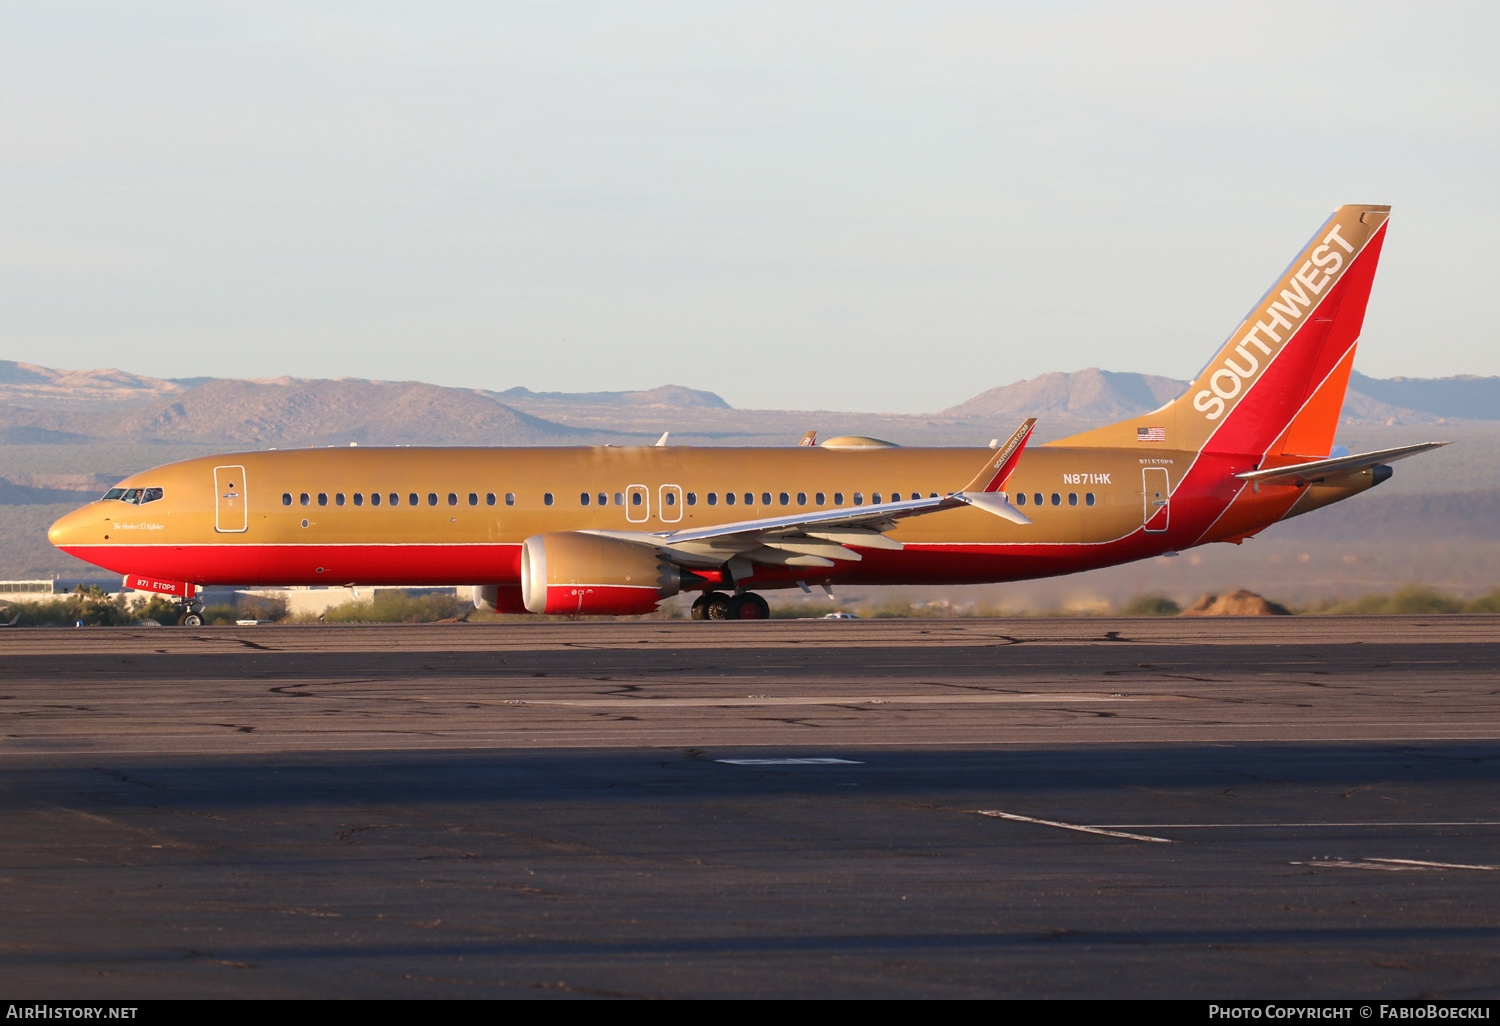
(95, 427)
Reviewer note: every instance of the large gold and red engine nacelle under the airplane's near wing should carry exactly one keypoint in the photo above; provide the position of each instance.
(584, 574)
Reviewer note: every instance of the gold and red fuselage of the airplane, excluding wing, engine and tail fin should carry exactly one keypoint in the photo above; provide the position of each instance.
(287, 505)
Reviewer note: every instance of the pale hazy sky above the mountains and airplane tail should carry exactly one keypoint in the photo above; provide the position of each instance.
(856, 206)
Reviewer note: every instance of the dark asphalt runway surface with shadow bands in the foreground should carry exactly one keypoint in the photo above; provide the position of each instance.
(1025, 808)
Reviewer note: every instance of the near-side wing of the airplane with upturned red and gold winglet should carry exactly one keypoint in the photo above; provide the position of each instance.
(820, 538)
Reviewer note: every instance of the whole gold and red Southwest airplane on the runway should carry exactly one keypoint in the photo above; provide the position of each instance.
(616, 530)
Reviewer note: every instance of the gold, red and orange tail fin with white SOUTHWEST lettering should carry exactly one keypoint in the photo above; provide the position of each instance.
(1279, 383)
